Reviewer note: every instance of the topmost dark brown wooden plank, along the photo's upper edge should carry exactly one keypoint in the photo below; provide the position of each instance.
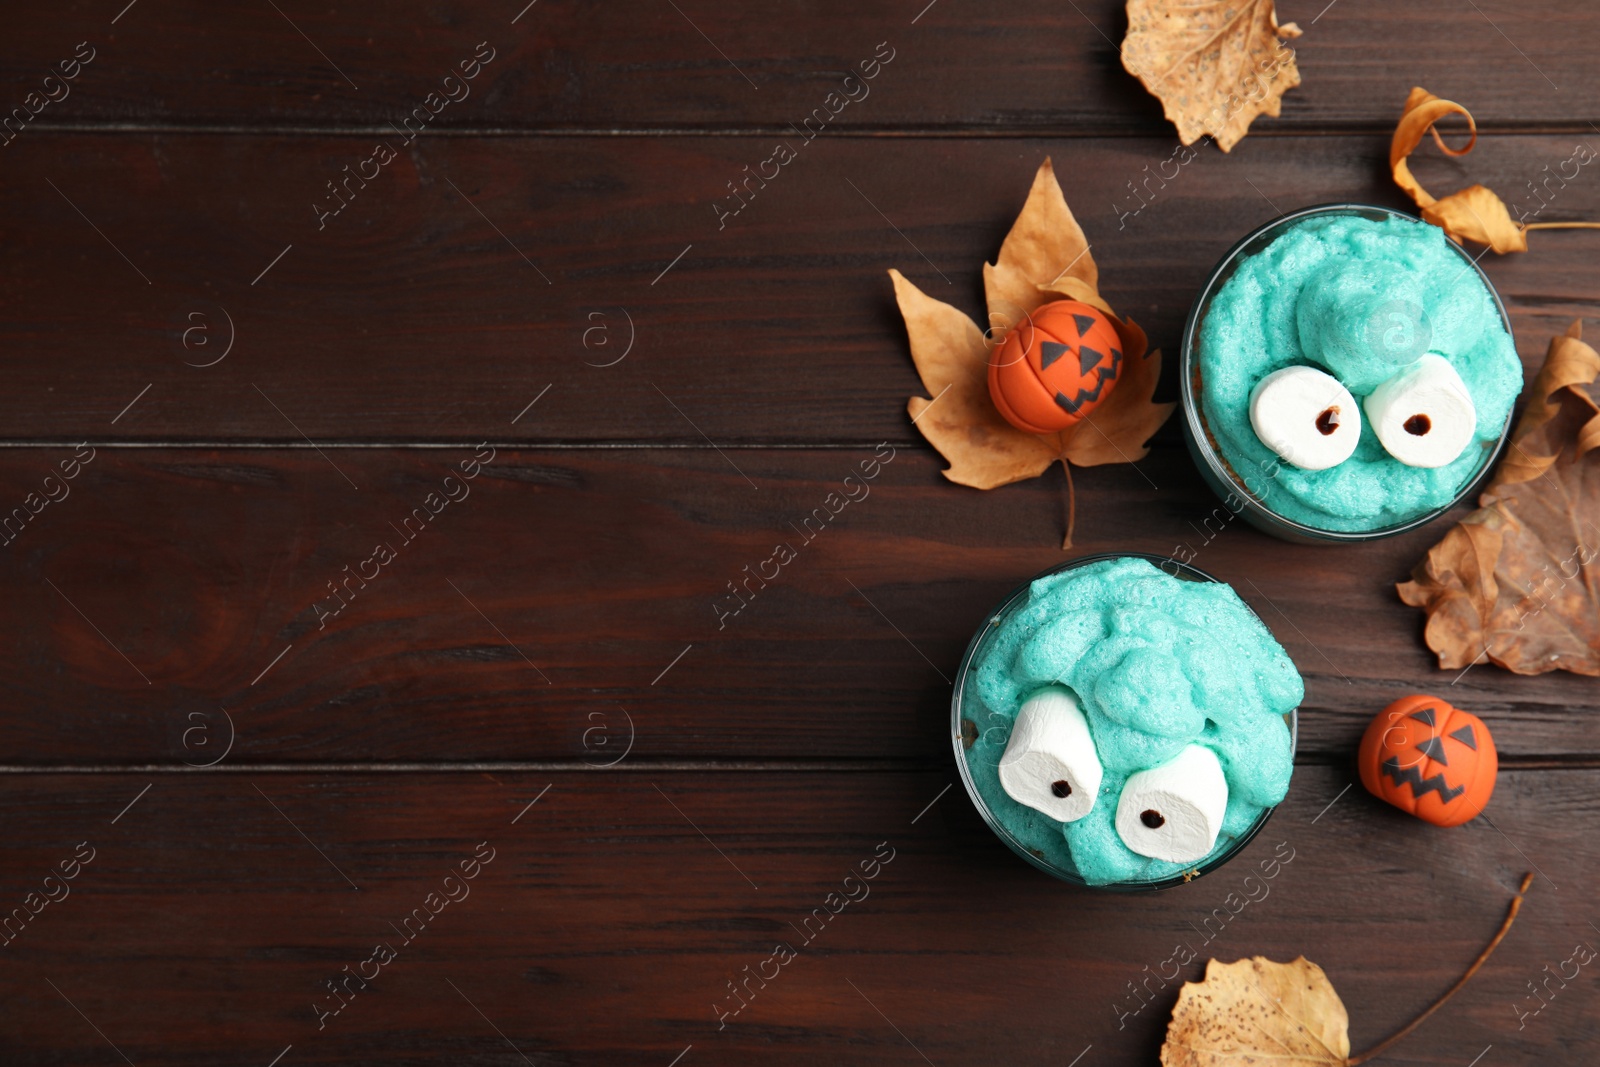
(1033, 66)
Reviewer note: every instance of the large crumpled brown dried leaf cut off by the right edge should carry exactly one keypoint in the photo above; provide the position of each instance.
(1518, 580)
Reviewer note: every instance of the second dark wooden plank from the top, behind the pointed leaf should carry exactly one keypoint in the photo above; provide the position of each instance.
(410, 319)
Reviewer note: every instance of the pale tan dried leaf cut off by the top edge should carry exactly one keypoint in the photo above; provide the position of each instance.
(1215, 65)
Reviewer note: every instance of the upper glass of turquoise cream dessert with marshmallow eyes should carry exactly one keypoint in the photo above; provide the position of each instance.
(1346, 374)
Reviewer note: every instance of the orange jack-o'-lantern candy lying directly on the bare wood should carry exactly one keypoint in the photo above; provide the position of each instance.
(1431, 761)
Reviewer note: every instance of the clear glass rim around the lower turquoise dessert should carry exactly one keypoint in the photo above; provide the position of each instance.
(1177, 570)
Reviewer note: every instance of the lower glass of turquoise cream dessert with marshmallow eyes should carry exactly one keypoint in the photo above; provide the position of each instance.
(1126, 722)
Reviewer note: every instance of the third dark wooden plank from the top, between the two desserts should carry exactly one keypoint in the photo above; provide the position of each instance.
(562, 593)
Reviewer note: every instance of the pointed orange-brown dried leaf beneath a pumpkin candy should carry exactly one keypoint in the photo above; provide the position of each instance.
(1046, 257)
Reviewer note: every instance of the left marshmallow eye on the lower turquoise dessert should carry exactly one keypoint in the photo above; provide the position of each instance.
(1050, 762)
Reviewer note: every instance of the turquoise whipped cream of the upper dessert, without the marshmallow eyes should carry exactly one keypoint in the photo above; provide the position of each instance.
(1359, 300)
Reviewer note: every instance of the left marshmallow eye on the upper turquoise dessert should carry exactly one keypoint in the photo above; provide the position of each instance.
(1306, 417)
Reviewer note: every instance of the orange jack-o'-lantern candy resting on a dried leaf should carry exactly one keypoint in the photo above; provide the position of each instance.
(1055, 367)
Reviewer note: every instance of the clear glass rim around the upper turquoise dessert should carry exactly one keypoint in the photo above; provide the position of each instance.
(1201, 436)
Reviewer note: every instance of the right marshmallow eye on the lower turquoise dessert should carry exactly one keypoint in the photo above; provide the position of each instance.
(1175, 812)
